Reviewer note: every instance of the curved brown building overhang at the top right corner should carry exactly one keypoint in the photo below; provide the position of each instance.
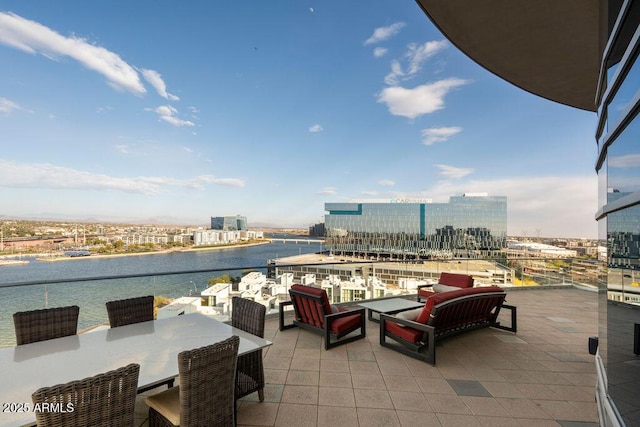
(550, 48)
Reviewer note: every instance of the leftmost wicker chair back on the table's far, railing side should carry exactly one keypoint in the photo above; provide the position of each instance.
(46, 324)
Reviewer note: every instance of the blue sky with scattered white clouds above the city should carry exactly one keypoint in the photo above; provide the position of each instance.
(179, 111)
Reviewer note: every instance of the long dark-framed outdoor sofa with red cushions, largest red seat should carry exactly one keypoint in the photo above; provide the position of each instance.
(444, 314)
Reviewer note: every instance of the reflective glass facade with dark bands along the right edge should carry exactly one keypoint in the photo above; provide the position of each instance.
(618, 166)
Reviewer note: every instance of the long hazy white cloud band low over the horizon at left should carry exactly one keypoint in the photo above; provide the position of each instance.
(48, 176)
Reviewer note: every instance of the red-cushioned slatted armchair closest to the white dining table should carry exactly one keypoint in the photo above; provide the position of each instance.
(314, 312)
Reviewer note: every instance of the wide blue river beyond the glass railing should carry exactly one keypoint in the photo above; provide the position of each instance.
(92, 296)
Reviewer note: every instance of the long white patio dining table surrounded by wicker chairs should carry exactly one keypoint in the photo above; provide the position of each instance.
(154, 345)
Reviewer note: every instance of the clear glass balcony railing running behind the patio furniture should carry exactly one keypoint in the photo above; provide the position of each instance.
(210, 290)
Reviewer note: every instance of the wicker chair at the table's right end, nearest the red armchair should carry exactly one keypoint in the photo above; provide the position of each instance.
(249, 316)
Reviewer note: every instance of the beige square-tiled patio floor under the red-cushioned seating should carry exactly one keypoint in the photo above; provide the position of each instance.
(541, 376)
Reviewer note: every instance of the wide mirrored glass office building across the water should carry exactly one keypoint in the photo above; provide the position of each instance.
(468, 226)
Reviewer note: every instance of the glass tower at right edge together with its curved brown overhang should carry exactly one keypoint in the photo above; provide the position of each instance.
(585, 54)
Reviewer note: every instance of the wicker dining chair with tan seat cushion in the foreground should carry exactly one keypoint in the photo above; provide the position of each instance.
(205, 396)
